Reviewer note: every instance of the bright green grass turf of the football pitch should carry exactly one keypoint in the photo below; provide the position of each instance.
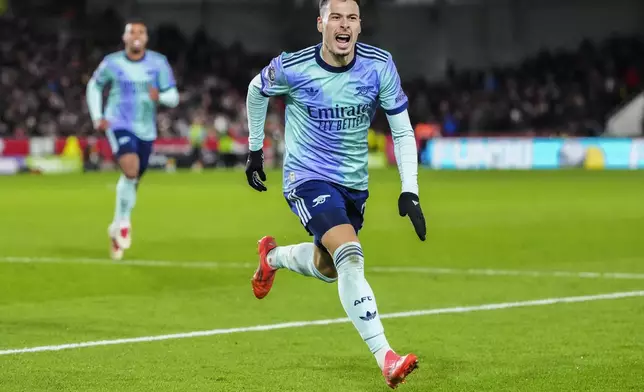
(537, 221)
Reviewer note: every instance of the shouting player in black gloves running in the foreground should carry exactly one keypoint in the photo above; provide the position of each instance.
(333, 92)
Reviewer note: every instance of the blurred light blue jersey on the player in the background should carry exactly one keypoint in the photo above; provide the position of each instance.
(129, 106)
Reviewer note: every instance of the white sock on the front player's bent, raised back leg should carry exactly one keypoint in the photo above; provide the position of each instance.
(297, 258)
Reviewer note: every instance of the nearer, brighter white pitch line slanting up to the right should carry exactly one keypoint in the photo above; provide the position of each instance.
(298, 324)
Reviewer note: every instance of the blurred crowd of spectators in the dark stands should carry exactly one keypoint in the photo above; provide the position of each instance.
(43, 78)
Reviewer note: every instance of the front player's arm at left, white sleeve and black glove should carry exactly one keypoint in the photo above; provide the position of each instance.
(256, 107)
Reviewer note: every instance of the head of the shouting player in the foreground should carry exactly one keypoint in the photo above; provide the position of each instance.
(339, 23)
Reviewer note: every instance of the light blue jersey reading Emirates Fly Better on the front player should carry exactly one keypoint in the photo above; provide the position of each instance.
(329, 111)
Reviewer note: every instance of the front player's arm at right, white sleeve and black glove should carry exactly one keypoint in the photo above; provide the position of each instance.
(407, 160)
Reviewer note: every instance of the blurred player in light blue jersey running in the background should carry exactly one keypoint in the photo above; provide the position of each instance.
(139, 79)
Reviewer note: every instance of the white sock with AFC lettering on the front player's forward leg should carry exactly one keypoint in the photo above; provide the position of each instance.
(358, 299)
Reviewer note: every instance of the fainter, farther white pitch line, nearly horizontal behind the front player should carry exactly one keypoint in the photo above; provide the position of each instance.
(403, 269)
